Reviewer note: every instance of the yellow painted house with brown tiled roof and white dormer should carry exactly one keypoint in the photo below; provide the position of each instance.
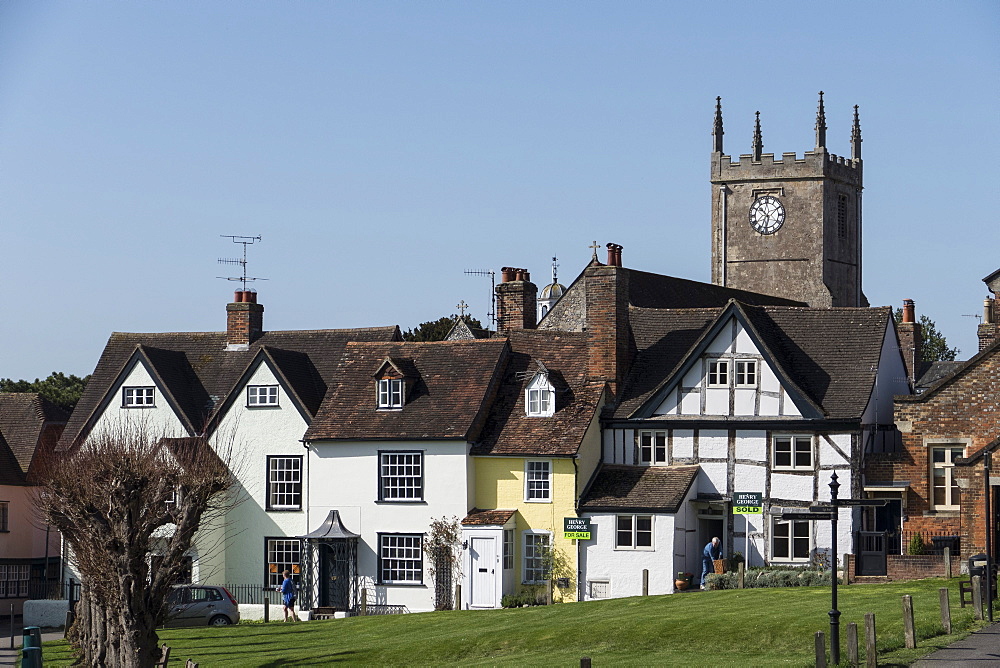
(540, 447)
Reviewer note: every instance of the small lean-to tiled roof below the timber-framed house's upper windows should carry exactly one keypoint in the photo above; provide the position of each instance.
(643, 488)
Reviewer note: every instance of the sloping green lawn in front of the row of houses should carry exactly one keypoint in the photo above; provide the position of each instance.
(759, 627)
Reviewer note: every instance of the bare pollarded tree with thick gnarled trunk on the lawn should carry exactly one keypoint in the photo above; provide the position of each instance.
(111, 498)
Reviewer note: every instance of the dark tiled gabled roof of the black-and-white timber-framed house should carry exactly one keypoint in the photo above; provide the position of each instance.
(826, 356)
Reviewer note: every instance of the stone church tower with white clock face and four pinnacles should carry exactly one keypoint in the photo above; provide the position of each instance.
(789, 227)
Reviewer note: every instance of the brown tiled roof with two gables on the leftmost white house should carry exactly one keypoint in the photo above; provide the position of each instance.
(199, 373)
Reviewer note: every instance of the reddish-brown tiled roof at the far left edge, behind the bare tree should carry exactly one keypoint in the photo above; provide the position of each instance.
(29, 424)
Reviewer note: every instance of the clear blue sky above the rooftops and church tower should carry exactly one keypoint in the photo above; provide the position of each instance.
(382, 148)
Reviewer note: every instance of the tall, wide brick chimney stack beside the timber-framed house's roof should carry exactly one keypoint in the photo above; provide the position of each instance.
(608, 337)
